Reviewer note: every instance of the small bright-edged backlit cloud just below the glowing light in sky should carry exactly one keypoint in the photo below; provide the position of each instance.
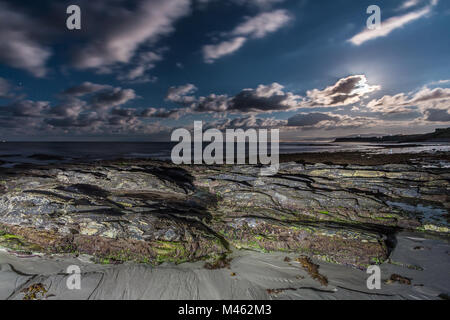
(346, 91)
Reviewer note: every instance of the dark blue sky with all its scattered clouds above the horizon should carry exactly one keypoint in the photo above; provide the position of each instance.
(138, 69)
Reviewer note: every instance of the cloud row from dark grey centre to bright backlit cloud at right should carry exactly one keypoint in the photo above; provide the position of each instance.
(273, 97)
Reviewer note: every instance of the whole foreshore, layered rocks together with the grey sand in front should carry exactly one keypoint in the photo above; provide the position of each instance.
(319, 205)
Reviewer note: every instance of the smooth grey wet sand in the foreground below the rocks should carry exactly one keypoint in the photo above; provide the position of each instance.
(251, 275)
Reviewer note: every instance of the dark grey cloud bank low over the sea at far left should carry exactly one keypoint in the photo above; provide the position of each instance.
(88, 108)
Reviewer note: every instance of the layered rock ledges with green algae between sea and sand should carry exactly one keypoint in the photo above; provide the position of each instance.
(152, 212)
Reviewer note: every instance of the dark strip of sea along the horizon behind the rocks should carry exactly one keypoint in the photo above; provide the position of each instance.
(13, 153)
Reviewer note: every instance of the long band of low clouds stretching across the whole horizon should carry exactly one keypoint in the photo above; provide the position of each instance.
(92, 108)
